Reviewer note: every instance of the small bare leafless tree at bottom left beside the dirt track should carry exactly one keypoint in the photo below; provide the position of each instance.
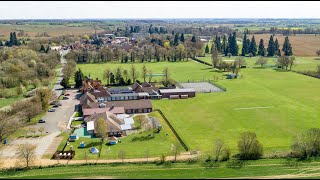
(26, 153)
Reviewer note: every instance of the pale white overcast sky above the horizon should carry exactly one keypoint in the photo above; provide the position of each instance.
(160, 9)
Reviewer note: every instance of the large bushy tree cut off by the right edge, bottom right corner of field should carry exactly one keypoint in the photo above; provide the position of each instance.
(307, 144)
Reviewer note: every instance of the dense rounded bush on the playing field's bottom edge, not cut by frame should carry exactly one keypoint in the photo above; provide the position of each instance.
(249, 147)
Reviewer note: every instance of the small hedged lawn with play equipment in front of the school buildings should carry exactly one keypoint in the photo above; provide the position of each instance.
(160, 144)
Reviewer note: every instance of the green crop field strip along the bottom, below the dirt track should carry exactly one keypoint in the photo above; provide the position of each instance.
(271, 169)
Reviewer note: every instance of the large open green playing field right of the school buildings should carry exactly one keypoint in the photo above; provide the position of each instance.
(289, 109)
